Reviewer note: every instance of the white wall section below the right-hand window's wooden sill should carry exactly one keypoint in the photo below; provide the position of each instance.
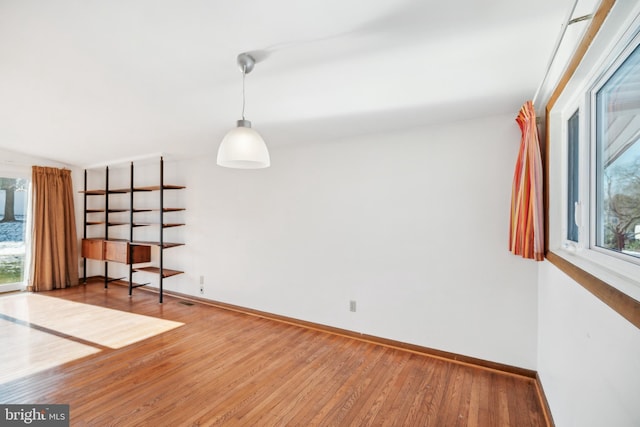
(589, 356)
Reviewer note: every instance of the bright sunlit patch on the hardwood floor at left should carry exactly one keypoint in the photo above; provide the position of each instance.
(39, 332)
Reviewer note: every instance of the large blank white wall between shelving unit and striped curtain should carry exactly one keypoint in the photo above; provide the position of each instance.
(413, 226)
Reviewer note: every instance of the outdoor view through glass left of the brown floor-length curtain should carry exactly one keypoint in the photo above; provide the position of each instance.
(13, 209)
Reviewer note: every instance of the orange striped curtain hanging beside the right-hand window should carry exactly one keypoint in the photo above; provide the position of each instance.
(526, 236)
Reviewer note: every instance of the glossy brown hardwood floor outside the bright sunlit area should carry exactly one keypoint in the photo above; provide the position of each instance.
(227, 368)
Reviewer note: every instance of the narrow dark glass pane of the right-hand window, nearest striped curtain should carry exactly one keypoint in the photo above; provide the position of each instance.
(572, 175)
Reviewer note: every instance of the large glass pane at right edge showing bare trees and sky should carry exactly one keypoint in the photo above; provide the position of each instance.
(618, 159)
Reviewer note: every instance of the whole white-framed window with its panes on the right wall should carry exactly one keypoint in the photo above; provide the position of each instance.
(593, 129)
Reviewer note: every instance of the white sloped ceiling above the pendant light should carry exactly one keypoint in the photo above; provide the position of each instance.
(93, 81)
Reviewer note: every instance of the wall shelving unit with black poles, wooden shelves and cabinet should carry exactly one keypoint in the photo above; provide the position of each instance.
(129, 251)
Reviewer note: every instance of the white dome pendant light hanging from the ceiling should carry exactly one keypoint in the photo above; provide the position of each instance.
(242, 147)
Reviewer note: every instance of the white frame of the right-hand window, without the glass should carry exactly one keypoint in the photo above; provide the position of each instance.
(619, 35)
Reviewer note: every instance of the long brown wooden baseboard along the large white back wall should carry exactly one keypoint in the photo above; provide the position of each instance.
(426, 351)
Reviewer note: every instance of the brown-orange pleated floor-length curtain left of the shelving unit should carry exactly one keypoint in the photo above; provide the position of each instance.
(54, 261)
